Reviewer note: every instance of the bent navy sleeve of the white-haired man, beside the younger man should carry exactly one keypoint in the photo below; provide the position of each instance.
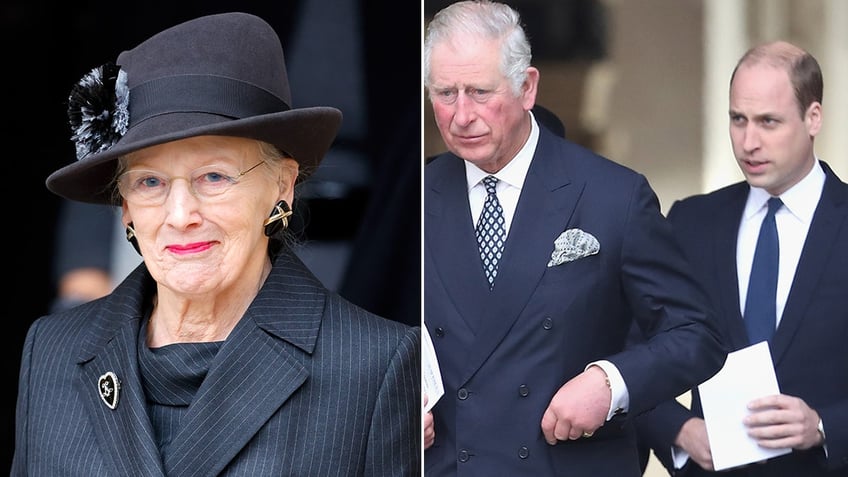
(682, 345)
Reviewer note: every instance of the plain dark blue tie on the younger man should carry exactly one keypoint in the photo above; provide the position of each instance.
(760, 304)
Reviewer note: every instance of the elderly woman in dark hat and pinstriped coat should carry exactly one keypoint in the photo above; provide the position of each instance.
(221, 354)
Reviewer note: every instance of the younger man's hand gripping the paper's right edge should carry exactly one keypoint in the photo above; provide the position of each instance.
(783, 421)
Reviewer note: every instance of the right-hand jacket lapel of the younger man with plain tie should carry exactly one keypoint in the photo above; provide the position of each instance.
(819, 246)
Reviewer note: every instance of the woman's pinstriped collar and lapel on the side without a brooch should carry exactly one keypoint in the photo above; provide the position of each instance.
(256, 370)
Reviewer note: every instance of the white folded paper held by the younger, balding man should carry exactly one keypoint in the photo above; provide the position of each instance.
(747, 374)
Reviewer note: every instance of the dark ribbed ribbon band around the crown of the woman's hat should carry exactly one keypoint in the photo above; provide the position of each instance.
(201, 93)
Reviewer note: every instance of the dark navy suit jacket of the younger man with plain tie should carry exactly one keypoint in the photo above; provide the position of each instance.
(808, 347)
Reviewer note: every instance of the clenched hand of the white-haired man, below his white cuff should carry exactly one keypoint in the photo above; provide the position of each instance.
(580, 406)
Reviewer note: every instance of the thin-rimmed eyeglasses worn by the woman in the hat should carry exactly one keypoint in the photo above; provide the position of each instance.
(145, 187)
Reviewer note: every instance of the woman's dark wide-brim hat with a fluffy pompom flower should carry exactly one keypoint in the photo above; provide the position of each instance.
(221, 74)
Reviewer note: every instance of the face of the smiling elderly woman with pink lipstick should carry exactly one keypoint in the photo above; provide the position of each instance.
(197, 206)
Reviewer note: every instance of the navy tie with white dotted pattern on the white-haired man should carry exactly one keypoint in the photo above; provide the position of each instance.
(491, 233)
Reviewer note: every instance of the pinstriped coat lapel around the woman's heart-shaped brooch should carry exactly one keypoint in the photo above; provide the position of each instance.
(124, 433)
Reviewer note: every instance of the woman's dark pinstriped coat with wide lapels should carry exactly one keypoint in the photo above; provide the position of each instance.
(307, 384)
